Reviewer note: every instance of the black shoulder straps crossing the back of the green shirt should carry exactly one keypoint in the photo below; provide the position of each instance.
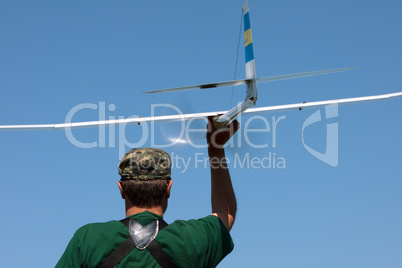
(127, 246)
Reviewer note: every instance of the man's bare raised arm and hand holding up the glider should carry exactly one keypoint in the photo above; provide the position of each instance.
(223, 199)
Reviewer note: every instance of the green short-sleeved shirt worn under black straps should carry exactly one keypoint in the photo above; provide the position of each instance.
(194, 243)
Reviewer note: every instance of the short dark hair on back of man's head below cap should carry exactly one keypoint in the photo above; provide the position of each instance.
(145, 193)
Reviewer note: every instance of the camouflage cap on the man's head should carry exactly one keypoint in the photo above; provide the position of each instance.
(145, 164)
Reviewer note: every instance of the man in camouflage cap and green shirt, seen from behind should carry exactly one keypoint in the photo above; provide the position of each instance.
(148, 241)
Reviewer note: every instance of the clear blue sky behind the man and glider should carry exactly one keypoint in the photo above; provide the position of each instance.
(57, 55)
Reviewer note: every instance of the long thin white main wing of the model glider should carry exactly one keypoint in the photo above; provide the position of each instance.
(198, 116)
